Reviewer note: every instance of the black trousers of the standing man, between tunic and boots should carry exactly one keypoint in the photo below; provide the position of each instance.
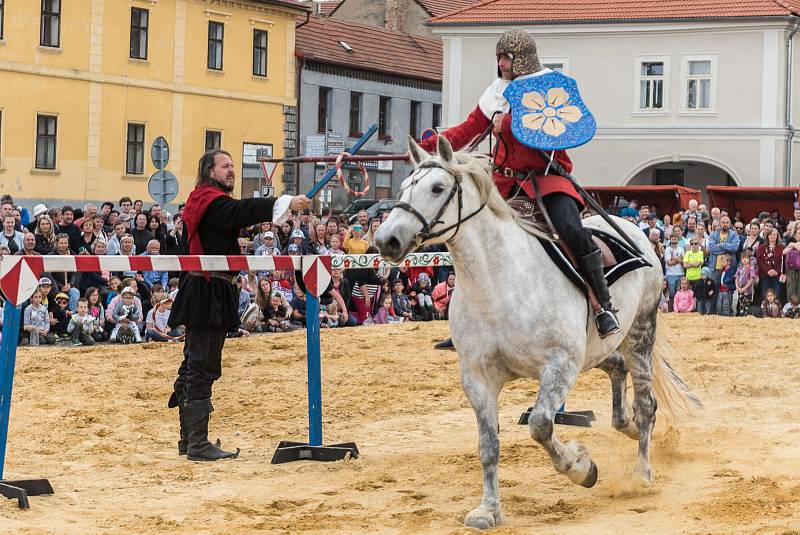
(202, 362)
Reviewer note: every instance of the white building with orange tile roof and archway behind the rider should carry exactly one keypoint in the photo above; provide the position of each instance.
(684, 92)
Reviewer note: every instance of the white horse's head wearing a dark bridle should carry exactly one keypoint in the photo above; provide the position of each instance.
(435, 199)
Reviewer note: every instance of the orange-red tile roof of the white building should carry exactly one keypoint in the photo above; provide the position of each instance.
(553, 11)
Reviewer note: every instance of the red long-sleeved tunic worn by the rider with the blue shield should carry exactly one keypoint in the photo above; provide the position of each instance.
(510, 153)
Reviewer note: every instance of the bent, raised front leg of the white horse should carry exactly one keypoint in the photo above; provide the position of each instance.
(571, 459)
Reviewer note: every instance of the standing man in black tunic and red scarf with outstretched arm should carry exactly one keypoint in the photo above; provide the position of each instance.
(207, 303)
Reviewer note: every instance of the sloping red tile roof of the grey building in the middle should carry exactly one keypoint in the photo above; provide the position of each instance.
(374, 49)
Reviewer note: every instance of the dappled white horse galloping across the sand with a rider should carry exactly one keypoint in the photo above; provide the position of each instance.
(514, 314)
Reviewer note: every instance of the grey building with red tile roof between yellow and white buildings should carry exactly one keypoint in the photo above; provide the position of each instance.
(353, 76)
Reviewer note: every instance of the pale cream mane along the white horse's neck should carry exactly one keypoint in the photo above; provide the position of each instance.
(479, 168)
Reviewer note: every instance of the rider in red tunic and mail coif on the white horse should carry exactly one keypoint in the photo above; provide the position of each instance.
(514, 161)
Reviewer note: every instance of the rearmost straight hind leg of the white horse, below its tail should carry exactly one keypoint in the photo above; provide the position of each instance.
(640, 342)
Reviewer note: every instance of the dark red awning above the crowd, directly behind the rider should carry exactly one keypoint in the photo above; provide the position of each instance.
(668, 199)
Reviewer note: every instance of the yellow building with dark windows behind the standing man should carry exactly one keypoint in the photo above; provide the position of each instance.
(87, 85)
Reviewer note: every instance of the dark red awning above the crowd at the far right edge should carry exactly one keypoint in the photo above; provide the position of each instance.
(751, 201)
